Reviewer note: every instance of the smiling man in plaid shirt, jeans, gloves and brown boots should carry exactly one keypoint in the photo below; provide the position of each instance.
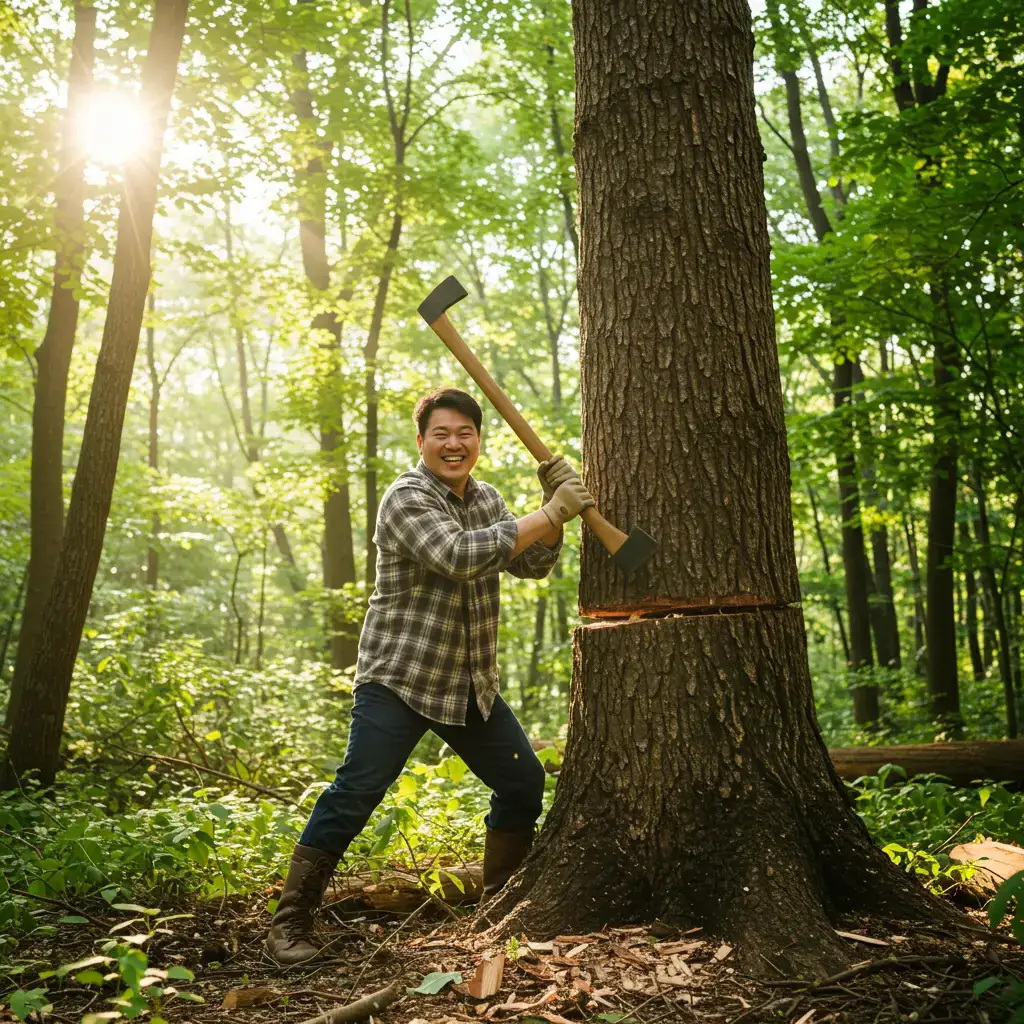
(429, 656)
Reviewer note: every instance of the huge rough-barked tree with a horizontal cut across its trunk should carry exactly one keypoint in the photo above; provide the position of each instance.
(696, 787)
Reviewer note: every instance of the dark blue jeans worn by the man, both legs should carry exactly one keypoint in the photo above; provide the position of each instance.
(383, 734)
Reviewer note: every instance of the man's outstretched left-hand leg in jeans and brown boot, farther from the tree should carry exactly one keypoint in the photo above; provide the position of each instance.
(383, 733)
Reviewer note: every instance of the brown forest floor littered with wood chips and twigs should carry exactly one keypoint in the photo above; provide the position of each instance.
(645, 974)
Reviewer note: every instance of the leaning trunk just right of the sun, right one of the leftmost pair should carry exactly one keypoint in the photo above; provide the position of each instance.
(38, 715)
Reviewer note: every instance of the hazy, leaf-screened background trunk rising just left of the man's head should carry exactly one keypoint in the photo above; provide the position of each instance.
(339, 559)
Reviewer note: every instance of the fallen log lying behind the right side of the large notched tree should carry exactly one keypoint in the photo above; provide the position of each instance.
(962, 763)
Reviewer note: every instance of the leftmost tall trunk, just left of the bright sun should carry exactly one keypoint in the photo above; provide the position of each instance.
(54, 355)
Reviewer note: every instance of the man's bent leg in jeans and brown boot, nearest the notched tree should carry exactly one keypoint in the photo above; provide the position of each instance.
(499, 753)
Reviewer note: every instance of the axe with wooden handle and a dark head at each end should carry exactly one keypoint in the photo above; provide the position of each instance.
(627, 552)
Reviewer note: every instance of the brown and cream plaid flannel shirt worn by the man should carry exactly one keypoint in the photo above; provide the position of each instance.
(432, 629)
